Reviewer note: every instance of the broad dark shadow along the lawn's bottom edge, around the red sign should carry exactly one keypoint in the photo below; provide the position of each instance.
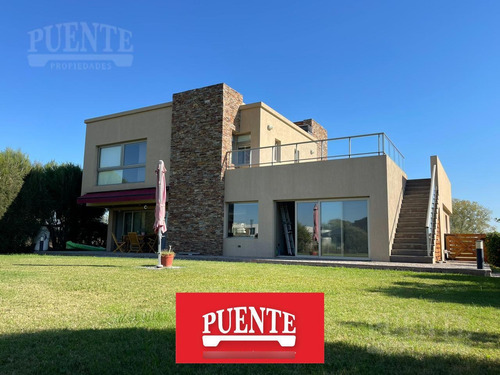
(145, 351)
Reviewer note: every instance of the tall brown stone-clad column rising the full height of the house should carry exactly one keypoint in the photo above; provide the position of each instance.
(202, 124)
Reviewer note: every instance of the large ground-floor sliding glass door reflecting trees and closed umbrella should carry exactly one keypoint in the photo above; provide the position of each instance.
(333, 228)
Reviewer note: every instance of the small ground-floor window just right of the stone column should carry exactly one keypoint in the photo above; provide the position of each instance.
(243, 220)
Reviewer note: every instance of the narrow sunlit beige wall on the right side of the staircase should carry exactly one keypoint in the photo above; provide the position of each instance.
(445, 197)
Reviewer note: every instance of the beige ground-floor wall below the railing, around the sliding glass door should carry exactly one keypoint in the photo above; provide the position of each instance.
(333, 179)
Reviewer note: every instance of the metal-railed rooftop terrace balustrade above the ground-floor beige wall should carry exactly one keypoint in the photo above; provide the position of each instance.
(356, 146)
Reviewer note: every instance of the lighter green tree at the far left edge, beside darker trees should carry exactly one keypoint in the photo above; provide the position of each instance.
(14, 166)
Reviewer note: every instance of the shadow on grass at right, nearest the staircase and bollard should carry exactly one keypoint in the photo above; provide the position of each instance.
(468, 291)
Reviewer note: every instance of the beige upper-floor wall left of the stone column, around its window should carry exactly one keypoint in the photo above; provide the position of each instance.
(152, 124)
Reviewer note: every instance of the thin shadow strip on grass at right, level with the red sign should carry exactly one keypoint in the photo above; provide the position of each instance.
(462, 337)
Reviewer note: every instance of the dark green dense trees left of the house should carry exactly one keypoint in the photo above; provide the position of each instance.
(48, 198)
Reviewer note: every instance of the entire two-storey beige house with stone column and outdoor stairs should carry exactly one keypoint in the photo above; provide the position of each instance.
(243, 180)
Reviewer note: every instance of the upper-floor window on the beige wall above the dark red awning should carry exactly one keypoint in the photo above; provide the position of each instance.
(121, 164)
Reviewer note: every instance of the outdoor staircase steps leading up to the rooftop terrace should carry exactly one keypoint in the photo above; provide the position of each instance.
(410, 243)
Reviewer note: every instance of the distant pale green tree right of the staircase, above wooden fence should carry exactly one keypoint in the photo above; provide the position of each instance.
(470, 217)
